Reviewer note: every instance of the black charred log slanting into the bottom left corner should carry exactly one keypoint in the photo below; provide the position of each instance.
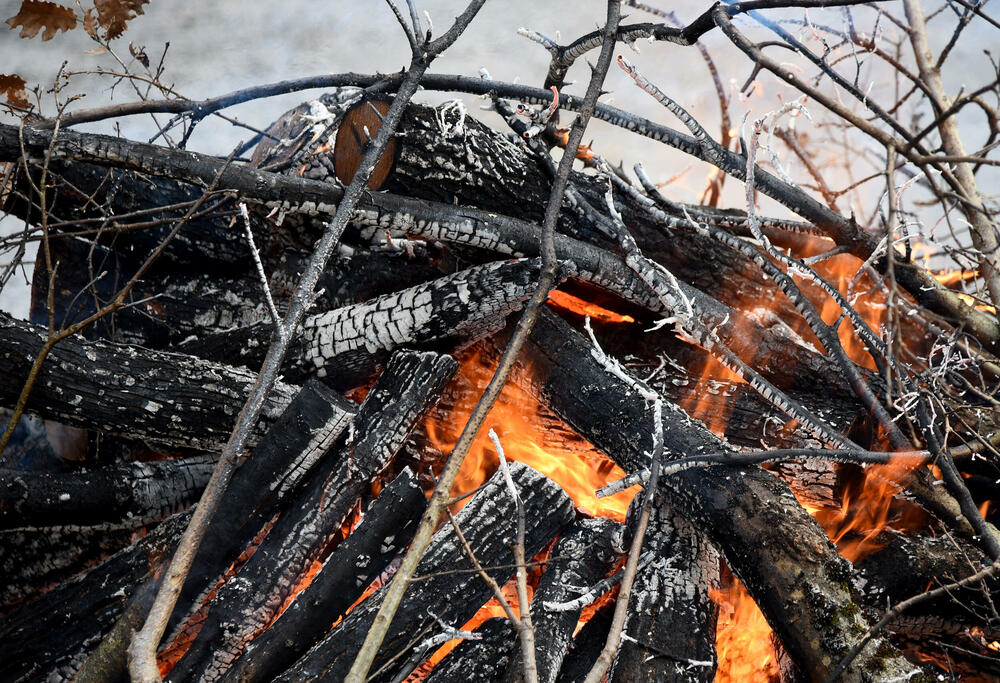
(49, 637)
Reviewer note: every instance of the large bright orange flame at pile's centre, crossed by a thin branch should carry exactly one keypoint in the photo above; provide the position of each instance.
(531, 435)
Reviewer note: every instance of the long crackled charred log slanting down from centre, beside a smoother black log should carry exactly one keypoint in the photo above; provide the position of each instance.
(247, 603)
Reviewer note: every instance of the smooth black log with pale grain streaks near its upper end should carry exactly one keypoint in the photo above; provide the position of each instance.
(306, 432)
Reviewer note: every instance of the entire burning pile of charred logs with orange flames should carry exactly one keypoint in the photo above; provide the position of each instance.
(722, 433)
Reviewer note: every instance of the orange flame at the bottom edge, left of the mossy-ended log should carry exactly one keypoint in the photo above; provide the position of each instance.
(742, 638)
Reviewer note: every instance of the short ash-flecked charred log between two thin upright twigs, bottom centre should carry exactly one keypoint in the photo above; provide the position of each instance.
(582, 555)
